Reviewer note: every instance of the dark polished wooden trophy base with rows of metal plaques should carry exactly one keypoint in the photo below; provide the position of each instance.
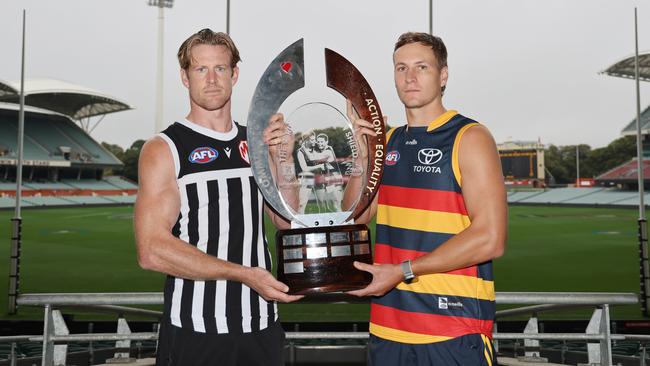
(318, 260)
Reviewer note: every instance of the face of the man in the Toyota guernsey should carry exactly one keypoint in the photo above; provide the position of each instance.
(418, 79)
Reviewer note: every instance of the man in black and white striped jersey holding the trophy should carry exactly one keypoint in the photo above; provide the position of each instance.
(198, 219)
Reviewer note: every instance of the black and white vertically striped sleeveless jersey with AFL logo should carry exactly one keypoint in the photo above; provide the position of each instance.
(220, 214)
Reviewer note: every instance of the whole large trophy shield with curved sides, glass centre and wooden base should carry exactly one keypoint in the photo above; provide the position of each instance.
(327, 183)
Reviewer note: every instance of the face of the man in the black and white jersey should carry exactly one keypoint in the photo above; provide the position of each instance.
(209, 77)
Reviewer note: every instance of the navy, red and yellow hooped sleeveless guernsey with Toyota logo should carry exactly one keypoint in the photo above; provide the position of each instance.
(420, 207)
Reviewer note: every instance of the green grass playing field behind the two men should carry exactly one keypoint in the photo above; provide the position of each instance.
(549, 249)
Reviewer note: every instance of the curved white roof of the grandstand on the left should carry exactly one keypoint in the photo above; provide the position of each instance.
(74, 101)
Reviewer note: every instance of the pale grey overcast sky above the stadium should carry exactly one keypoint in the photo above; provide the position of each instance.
(526, 69)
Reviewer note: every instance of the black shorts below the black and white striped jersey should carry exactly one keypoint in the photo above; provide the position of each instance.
(183, 347)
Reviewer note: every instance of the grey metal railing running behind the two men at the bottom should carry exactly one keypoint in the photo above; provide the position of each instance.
(55, 332)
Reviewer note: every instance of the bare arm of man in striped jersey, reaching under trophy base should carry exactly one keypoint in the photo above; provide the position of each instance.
(156, 211)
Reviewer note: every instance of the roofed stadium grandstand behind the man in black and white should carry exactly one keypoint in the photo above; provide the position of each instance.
(63, 164)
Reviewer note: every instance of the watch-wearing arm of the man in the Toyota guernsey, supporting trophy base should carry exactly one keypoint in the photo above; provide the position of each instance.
(485, 199)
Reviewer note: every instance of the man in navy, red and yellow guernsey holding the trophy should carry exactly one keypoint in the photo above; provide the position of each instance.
(441, 219)
